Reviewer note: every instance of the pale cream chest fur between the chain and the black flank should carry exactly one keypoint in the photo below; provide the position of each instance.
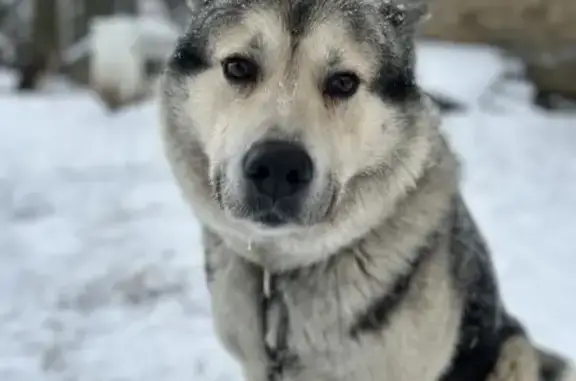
(309, 319)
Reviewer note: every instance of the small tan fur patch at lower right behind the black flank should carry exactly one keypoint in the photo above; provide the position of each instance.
(518, 361)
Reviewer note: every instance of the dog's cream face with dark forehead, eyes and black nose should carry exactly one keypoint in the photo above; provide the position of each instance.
(293, 104)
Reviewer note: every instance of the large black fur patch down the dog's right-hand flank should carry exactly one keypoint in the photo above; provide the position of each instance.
(484, 325)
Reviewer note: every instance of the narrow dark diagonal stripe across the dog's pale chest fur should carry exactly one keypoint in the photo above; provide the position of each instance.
(378, 315)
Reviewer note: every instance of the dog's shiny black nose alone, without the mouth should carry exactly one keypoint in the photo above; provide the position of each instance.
(278, 169)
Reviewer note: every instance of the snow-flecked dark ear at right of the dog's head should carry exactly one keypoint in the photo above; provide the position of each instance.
(405, 15)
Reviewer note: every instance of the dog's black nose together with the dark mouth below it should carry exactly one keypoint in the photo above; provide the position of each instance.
(277, 175)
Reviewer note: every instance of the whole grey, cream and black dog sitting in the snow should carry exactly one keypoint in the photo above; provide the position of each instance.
(337, 246)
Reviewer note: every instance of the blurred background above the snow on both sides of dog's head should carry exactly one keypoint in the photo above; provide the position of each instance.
(85, 41)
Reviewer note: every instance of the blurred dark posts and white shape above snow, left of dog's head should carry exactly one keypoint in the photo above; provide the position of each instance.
(115, 47)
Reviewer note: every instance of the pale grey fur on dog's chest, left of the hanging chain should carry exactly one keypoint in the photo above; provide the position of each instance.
(235, 288)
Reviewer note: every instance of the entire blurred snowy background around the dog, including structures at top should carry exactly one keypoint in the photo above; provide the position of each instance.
(101, 273)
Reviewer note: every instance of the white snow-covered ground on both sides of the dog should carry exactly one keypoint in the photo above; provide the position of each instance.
(100, 266)
